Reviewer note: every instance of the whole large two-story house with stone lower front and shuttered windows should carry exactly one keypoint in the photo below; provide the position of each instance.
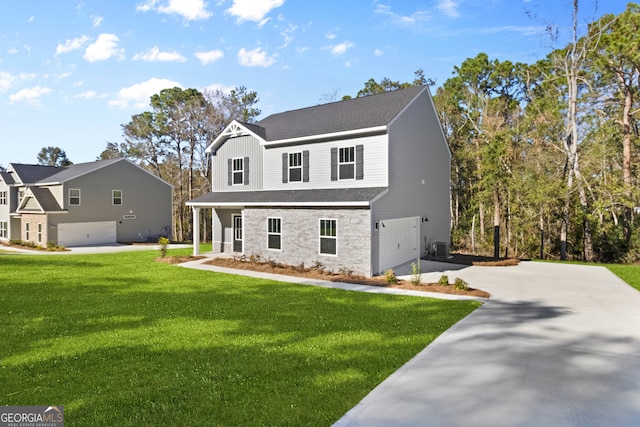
(360, 185)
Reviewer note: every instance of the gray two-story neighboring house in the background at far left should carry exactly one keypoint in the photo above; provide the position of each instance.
(106, 201)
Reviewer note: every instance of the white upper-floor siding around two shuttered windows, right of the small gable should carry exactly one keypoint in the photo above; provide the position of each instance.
(375, 164)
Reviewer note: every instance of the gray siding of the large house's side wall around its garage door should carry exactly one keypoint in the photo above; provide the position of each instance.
(419, 174)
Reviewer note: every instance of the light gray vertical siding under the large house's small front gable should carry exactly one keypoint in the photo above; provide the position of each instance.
(239, 147)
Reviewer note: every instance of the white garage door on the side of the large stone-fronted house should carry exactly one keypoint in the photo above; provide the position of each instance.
(399, 241)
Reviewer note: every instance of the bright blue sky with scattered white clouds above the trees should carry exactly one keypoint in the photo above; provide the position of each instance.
(72, 72)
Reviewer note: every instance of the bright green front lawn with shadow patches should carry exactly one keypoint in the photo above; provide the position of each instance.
(119, 339)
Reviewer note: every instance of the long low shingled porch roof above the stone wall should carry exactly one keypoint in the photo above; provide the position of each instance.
(317, 197)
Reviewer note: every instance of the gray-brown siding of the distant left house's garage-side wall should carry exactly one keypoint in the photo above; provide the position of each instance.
(143, 195)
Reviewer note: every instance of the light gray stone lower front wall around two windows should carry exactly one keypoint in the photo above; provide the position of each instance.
(301, 237)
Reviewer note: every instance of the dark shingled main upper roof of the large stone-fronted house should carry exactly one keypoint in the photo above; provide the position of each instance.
(351, 114)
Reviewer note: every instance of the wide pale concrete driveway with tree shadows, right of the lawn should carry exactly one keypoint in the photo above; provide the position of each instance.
(557, 345)
